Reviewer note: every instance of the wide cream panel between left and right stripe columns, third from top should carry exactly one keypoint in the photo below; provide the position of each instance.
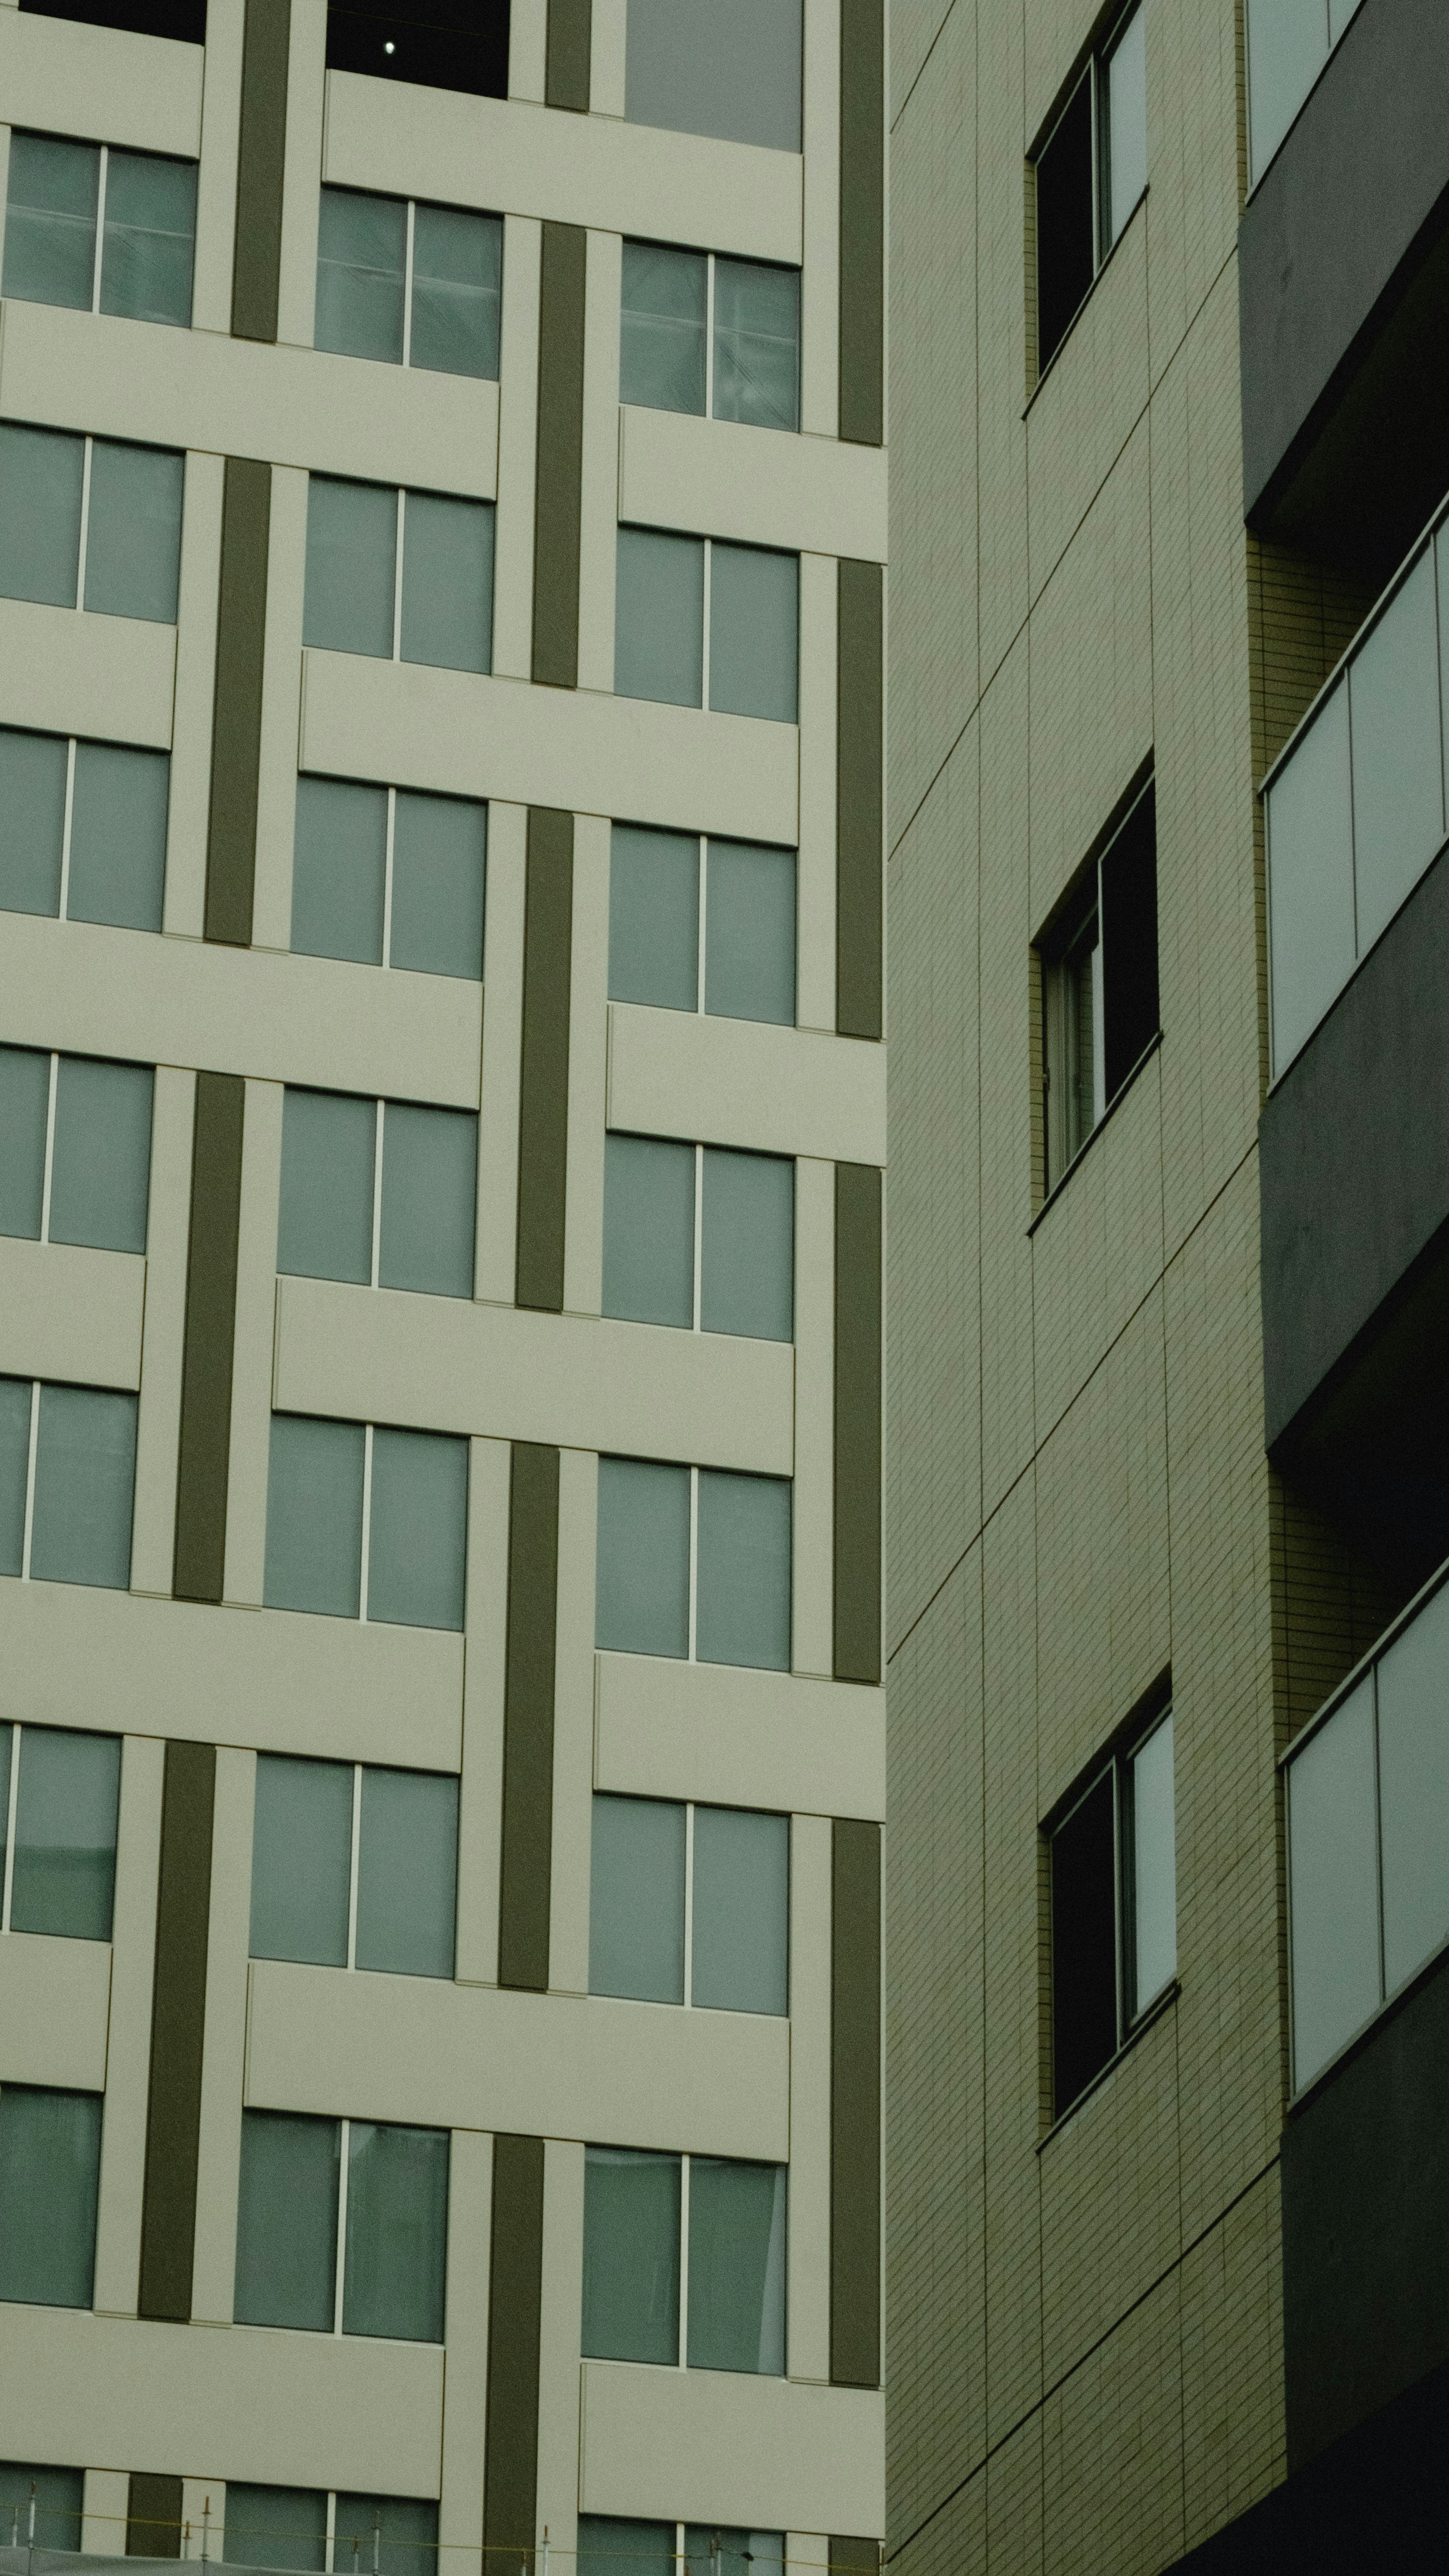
(507, 1374)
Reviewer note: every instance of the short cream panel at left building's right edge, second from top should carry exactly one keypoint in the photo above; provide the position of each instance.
(780, 1091)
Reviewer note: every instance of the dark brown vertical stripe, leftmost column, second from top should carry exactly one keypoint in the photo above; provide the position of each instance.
(236, 707)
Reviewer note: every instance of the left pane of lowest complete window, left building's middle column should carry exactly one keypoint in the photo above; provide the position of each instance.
(287, 2222)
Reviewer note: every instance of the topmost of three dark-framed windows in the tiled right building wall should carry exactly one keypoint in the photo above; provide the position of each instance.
(1092, 174)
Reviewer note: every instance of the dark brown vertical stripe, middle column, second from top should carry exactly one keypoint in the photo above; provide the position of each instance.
(558, 483)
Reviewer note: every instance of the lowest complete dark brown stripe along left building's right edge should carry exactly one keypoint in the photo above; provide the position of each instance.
(855, 2103)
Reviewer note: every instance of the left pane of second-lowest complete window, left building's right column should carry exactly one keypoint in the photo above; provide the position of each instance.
(636, 1900)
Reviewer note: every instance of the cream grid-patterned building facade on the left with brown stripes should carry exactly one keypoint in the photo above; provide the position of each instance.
(442, 1127)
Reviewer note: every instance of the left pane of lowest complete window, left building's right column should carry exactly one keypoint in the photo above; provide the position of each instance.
(630, 2255)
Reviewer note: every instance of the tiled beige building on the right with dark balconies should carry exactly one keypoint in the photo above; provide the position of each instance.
(1167, 1477)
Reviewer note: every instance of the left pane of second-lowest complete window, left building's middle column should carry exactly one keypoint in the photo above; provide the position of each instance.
(303, 1859)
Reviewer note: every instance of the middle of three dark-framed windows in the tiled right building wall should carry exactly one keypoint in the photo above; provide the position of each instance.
(1100, 988)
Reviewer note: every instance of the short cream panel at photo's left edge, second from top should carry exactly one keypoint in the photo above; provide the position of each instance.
(73, 674)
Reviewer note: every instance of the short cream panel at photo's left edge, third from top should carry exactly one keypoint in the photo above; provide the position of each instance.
(68, 1312)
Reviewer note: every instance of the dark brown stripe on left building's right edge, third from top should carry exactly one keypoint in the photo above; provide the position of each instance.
(857, 1421)
